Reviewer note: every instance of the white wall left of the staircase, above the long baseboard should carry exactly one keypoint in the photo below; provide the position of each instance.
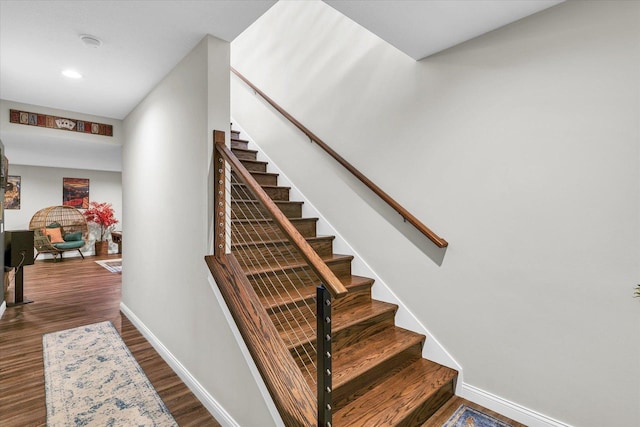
(166, 180)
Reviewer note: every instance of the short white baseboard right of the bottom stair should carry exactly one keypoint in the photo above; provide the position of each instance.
(507, 408)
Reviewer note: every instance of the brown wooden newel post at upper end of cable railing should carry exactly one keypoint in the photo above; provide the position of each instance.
(220, 196)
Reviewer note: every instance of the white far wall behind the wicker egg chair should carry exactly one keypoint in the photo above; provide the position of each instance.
(42, 187)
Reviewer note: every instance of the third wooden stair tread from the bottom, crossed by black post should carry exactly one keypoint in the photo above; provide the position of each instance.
(341, 319)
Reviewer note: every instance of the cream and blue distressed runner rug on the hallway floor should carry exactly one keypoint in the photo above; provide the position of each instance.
(92, 379)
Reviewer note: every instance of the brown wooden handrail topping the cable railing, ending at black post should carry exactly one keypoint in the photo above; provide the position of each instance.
(328, 278)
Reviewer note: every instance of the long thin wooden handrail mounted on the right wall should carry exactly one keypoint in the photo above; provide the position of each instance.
(408, 216)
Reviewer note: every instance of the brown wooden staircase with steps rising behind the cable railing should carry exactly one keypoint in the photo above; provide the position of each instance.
(379, 375)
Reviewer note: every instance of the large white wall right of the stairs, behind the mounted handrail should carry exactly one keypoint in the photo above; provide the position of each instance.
(521, 148)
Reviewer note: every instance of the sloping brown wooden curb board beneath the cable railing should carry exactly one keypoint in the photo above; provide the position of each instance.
(291, 394)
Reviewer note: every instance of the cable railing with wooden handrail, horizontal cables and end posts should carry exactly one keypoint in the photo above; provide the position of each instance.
(284, 274)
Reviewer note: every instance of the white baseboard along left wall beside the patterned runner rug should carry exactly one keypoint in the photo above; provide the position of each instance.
(200, 392)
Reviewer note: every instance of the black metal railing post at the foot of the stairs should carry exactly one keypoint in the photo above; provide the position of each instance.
(323, 302)
